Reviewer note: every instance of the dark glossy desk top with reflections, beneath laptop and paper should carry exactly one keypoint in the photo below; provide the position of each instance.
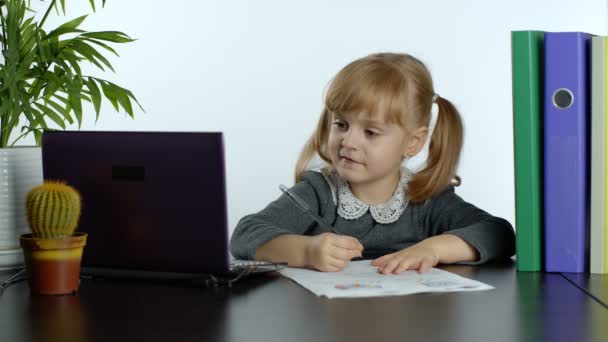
(523, 307)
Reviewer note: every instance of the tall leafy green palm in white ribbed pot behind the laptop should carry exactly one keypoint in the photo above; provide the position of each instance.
(43, 85)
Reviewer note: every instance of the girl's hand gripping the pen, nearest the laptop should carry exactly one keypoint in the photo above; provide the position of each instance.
(329, 252)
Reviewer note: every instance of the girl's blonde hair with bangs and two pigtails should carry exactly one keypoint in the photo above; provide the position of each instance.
(400, 89)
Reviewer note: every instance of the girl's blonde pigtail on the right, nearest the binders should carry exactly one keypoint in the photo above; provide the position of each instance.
(443, 156)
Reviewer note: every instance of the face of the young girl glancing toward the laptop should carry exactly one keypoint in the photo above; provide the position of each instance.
(366, 151)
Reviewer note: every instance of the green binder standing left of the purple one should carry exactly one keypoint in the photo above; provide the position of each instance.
(527, 65)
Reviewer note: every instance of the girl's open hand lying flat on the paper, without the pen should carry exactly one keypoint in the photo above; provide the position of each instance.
(421, 257)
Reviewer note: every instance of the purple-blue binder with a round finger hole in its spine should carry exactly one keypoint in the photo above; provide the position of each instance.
(566, 152)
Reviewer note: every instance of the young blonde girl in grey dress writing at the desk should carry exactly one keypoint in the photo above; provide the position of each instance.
(377, 114)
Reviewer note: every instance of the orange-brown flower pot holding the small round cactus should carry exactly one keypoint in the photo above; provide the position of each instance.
(53, 265)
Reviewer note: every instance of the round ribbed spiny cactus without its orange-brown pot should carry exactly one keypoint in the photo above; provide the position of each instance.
(53, 210)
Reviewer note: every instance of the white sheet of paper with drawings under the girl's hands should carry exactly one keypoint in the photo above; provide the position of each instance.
(361, 279)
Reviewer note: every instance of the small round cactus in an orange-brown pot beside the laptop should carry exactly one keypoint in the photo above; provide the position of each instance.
(53, 251)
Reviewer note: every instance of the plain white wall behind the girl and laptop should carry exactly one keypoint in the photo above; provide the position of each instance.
(257, 71)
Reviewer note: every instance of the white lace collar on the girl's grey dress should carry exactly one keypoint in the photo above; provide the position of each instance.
(351, 208)
